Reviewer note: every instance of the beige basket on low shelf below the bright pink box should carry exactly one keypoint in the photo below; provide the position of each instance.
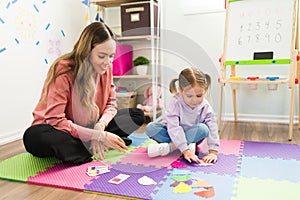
(126, 100)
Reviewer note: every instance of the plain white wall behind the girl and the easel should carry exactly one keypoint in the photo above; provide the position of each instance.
(198, 39)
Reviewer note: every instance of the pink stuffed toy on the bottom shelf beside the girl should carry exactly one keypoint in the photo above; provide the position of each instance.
(148, 103)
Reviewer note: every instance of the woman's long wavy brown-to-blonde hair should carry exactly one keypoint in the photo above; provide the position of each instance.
(84, 75)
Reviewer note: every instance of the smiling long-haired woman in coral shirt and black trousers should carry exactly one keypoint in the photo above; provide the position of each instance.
(76, 117)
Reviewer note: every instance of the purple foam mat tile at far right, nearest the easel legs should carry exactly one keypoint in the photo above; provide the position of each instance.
(271, 150)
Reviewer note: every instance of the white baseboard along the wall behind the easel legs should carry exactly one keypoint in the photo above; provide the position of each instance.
(283, 119)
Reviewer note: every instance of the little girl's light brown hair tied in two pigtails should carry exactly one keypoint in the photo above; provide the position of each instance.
(190, 77)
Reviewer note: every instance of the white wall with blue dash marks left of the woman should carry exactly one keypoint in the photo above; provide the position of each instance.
(33, 33)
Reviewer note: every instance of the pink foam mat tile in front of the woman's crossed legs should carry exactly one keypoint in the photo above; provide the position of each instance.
(65, 176)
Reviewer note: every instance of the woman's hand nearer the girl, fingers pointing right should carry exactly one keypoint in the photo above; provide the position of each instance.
(113, 141)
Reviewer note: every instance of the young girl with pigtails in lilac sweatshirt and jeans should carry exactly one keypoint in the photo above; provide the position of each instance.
(189, 119)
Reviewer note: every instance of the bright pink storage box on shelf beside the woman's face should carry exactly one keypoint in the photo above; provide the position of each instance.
(122, 63)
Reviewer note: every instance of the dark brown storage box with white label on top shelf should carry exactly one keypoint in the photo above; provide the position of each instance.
(136, 19)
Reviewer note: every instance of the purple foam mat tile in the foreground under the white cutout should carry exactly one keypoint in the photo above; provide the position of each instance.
(130, 187)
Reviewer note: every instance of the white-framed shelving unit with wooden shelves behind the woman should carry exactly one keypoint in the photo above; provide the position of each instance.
(151, 43)
